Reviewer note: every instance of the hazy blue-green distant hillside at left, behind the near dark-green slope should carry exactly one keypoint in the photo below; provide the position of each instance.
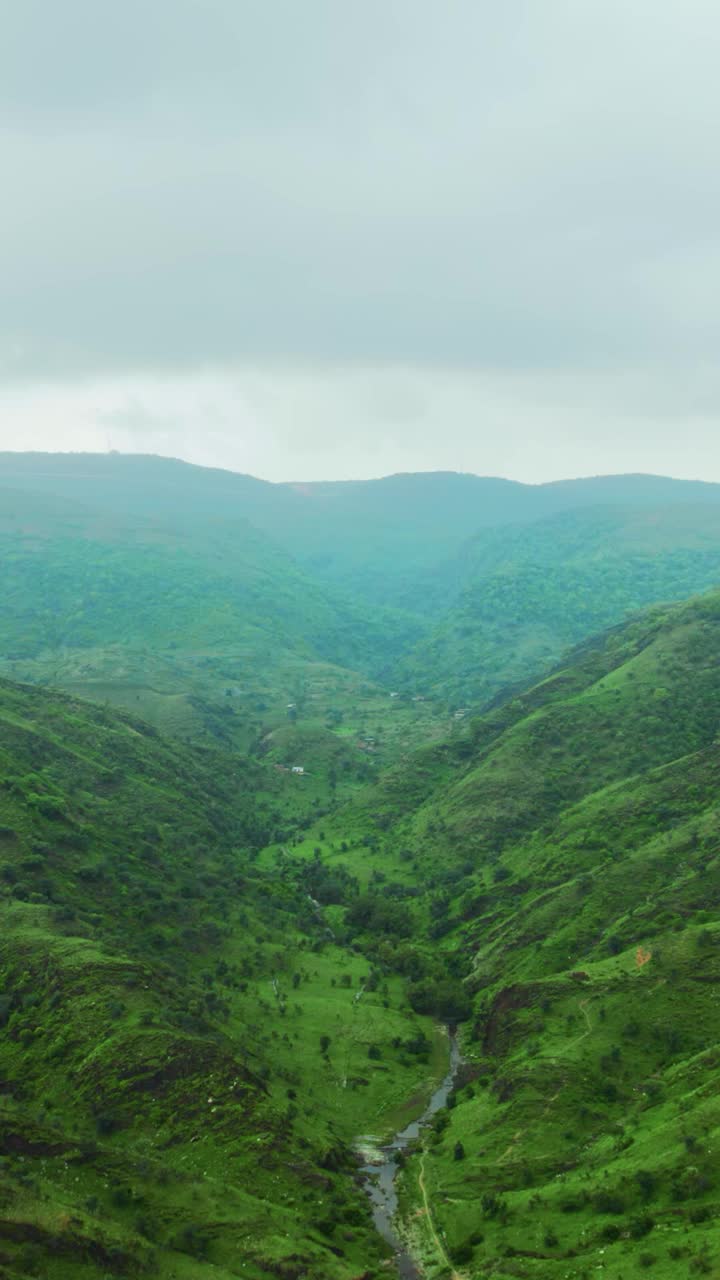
(204, 628)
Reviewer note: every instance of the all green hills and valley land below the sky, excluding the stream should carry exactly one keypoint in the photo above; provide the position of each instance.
(216, 975)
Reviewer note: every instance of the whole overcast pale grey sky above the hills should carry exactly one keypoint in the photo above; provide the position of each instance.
(334, 239)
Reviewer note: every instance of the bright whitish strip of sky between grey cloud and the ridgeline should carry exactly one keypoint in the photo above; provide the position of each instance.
(309, 423)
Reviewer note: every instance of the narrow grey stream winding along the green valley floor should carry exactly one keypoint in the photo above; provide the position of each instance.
(381, 1171)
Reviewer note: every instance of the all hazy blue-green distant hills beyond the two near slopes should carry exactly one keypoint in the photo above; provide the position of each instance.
(151, 582)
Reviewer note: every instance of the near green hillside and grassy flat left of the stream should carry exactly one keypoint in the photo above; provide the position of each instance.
(184, 1049)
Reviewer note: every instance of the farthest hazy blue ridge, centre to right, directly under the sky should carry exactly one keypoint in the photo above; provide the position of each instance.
(399, 538)
